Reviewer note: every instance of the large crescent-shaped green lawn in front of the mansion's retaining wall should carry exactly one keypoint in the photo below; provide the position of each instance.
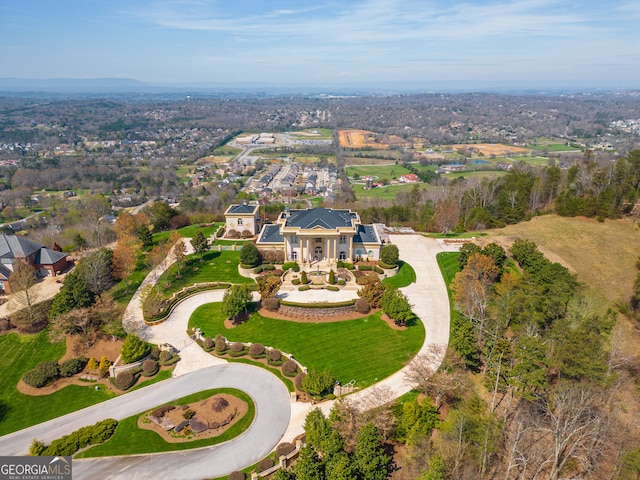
(360, 350)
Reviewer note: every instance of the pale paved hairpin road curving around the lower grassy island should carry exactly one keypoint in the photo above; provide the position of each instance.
(272, 418)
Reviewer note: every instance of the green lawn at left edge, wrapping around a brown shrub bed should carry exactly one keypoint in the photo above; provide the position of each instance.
(18, 411)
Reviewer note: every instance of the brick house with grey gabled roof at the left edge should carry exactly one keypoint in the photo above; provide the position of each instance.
(14, 248)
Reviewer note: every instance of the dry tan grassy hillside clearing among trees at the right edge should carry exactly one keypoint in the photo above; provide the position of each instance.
(602, 254)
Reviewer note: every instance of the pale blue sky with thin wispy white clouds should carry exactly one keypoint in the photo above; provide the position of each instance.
(436, 43)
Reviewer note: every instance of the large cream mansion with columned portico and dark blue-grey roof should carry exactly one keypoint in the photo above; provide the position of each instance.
(321, 234)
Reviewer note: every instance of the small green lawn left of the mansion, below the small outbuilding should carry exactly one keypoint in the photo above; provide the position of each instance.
(214, 267)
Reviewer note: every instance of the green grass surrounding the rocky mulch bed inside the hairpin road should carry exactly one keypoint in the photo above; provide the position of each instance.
(128, 439)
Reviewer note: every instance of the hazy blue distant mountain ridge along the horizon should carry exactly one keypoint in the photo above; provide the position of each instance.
(128, 86)
